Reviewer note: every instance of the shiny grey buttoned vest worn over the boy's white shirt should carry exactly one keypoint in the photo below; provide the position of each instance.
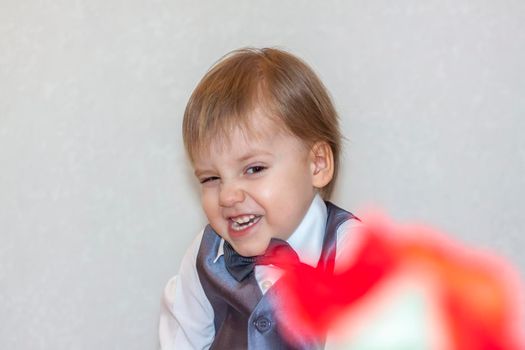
(243, 317)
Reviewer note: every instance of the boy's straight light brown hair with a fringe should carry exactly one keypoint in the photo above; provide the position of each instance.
(279, 83)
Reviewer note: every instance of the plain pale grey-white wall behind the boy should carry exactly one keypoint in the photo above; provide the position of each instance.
(97, 202)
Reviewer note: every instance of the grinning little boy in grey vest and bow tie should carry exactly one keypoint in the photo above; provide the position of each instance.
(263, 138)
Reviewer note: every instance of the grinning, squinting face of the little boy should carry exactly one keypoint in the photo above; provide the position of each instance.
(256, 188)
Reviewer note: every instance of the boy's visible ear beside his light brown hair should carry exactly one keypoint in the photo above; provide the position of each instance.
(322, 164)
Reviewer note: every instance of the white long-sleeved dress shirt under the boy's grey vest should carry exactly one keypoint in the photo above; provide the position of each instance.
(186, 318)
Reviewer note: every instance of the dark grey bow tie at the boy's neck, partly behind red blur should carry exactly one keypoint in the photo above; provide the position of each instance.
(278, 253)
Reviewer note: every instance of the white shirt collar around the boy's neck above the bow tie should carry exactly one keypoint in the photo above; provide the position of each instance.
(307, 239)
